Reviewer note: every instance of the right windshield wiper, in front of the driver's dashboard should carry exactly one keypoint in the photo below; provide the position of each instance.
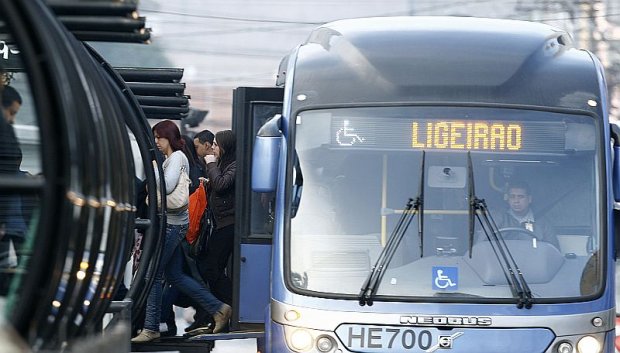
(478, 209)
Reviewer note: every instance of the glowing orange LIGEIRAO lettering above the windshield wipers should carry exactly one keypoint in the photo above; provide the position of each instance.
(461, 135)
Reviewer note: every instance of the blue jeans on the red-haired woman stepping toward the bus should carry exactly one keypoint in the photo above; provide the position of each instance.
(171, 264)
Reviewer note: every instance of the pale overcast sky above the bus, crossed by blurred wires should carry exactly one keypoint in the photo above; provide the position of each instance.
(223, 45)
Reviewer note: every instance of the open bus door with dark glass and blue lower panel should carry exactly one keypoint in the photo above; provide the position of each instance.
(252, 107)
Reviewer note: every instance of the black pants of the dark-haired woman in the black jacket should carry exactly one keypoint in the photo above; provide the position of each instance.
(212, 265)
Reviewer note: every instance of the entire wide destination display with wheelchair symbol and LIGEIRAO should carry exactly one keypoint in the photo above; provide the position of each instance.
(449, 134)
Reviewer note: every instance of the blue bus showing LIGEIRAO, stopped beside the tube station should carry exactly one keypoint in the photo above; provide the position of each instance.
(384, 166)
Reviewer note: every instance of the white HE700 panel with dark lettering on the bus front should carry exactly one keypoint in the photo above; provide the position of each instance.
(374, 338)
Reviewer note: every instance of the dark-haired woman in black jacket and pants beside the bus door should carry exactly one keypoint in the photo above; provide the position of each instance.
(221, 169)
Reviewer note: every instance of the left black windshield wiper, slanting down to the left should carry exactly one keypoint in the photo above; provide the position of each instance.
(371, 285)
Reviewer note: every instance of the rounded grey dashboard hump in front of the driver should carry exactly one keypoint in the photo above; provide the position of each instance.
(538, 265)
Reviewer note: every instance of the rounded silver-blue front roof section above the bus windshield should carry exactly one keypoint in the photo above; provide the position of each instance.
(443, 60)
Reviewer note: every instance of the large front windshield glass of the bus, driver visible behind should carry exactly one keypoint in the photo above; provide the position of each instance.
(538, 173)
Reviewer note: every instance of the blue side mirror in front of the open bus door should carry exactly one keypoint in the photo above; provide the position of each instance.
(266, 155)
